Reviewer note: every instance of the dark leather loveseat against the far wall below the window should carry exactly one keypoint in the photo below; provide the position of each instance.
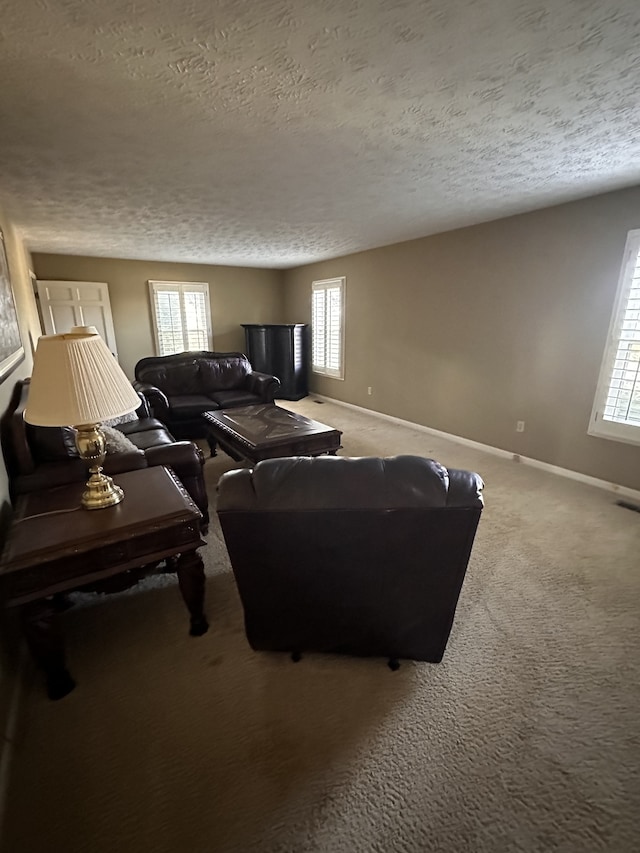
(179, 388)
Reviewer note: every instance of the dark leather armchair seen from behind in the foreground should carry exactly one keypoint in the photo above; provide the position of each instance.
(363, 556)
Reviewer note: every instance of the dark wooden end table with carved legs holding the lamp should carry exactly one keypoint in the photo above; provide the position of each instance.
(54, 546)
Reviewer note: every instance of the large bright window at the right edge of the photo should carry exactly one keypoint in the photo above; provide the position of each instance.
(616, 411)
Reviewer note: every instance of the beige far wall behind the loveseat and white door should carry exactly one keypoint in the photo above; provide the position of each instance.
(238, 295)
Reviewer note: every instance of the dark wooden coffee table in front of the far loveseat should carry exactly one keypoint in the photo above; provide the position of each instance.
(267, 431)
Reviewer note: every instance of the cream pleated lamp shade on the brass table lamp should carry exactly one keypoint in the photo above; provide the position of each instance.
(76, 380)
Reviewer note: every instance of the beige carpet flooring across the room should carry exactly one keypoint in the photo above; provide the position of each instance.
(525, 737)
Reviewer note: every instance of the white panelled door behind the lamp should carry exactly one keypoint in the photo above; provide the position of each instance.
(77, 303)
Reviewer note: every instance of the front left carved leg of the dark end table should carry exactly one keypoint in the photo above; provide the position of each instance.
(43, 632)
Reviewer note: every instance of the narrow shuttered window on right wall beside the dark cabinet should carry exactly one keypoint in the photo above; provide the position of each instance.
(327, 327)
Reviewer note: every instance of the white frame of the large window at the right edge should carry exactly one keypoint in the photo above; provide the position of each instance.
(598, 425)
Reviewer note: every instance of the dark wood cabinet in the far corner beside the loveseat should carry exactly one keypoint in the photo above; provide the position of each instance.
(281, 349)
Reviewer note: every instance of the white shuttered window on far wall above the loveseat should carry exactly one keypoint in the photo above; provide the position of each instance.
(181, 316)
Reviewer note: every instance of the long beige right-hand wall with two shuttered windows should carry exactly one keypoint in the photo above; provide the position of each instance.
(472, 330)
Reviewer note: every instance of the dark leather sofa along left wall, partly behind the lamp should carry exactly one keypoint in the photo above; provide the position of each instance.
(43, 457)
